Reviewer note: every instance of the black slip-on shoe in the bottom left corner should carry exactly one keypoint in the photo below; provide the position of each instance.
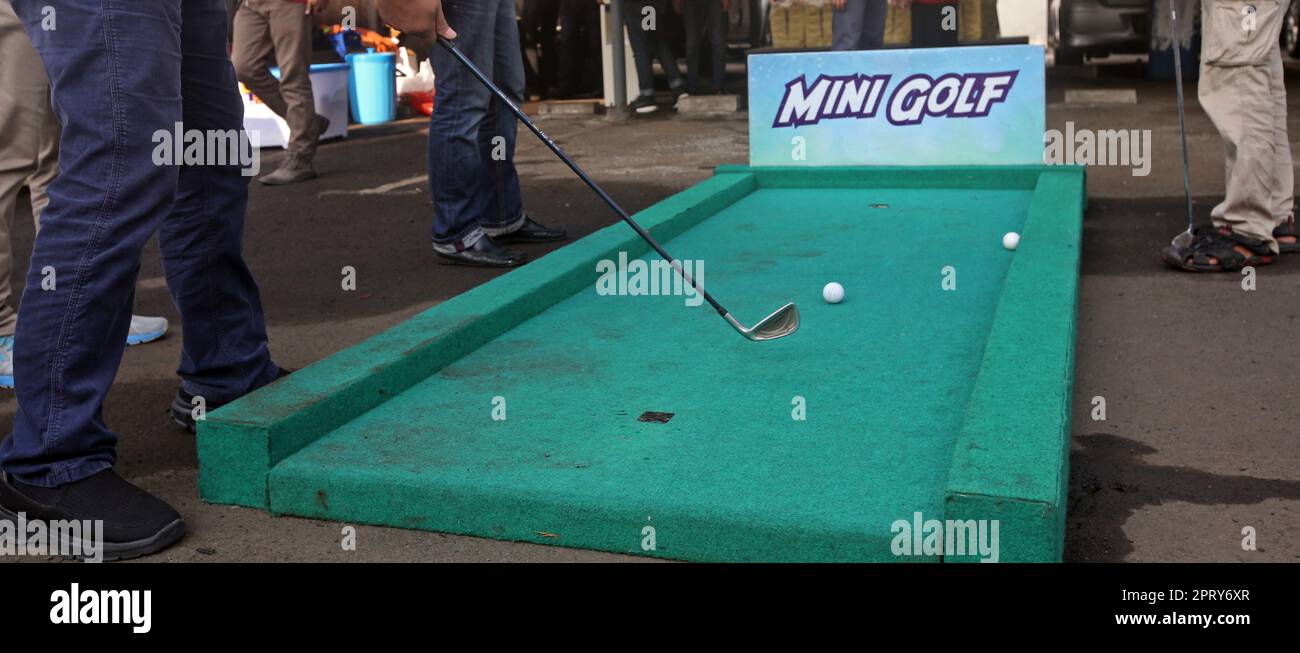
(136, 522)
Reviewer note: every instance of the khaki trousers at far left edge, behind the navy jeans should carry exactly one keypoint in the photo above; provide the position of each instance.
(29, 142)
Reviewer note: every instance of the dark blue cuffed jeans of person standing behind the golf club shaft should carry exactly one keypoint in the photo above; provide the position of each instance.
(475, 192)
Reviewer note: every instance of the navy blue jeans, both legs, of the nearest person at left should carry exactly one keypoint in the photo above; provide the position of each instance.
(122, 75)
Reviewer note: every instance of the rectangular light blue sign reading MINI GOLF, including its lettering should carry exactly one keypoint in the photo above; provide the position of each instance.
(974, 106)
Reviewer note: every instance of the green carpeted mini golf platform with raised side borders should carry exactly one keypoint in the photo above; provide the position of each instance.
(900, 392)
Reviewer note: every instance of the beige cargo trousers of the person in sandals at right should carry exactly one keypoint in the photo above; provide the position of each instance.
(1237, 90)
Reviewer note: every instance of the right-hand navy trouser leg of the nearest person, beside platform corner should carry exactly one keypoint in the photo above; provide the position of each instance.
(226, 351)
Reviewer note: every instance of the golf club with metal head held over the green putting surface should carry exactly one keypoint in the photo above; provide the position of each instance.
(781, 323)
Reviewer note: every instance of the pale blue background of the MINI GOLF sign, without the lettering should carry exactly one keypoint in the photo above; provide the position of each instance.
(1011, 133)
